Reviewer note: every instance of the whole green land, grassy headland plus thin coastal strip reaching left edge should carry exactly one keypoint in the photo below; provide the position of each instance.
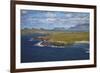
(59, 37)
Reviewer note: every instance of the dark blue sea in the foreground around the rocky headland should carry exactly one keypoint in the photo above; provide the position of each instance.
(31, 53)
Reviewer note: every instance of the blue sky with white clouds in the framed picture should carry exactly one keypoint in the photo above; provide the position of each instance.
(52, 19)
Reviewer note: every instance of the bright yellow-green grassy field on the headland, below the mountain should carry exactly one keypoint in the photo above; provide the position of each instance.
(68, 37)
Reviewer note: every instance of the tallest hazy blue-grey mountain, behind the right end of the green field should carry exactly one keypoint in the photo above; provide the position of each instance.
(80, 27)
